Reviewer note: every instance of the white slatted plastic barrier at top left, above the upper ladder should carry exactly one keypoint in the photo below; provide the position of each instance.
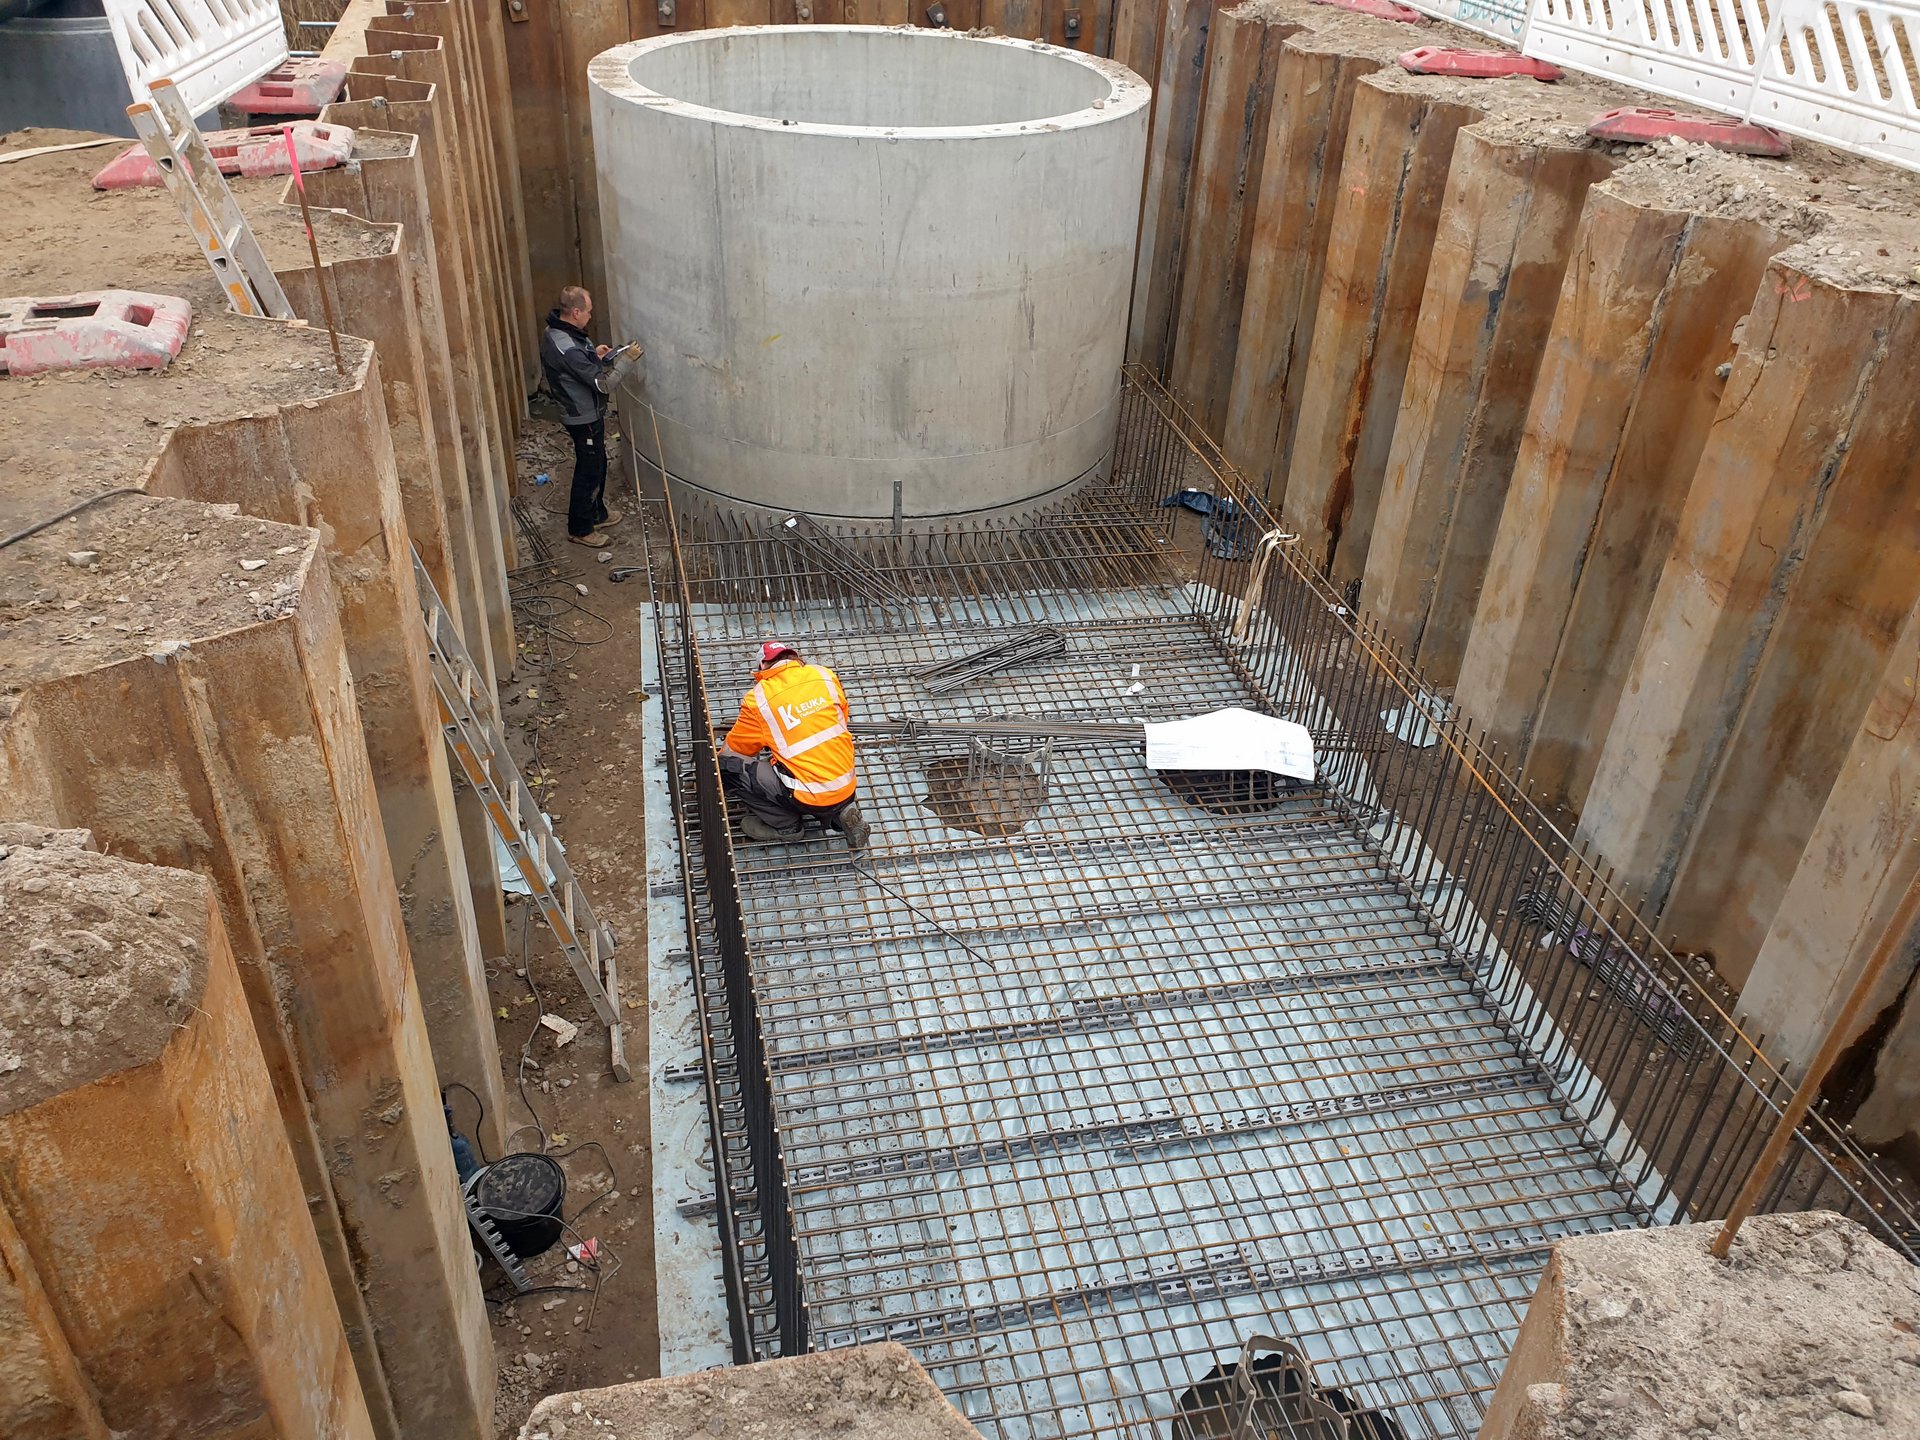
(206, 47)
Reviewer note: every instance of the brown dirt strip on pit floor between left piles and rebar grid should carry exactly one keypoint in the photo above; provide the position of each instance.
(573, 721)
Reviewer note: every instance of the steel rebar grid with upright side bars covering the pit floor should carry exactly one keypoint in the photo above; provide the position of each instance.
(1078, 1093)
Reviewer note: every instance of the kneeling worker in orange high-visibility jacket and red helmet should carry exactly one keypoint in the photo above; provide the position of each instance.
(790, 756)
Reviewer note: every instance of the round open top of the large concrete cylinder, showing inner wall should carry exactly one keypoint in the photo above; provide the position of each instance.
(869, 80)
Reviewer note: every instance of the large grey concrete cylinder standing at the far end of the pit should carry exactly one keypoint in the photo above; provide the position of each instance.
(882, 274)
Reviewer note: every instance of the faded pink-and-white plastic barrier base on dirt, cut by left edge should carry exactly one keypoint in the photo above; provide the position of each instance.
(97, 329)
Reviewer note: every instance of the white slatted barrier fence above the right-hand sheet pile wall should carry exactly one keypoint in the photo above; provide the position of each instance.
(1840, 72)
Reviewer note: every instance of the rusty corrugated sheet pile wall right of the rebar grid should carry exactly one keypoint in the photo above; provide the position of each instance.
(1616, 441)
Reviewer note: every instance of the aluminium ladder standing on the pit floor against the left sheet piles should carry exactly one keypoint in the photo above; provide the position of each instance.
(469, 723)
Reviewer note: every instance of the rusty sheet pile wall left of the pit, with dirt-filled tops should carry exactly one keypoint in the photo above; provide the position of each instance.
(214, 671)
